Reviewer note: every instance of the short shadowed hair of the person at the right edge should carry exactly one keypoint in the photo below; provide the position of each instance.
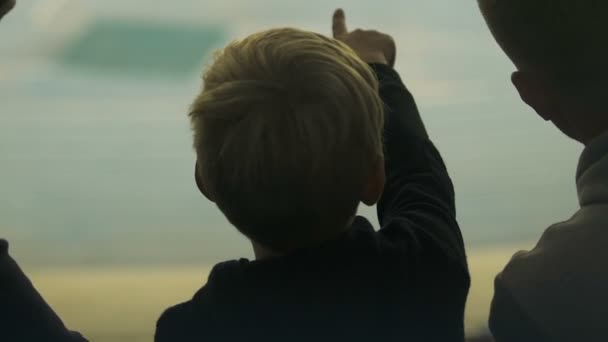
(565, 39)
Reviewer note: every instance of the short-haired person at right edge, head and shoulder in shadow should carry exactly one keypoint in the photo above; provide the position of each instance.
(559, 290)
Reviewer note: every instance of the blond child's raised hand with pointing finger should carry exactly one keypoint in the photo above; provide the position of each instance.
(371, 46)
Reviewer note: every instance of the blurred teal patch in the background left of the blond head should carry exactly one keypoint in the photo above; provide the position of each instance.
(136, 48)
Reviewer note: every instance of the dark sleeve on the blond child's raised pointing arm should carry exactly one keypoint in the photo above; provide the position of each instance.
(417, 206)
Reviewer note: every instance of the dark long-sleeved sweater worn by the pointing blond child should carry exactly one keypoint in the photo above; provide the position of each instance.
(406, 282)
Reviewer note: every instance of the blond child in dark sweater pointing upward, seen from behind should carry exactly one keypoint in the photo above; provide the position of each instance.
(292, 130)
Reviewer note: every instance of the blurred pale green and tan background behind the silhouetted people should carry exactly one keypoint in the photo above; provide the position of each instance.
(96, 167)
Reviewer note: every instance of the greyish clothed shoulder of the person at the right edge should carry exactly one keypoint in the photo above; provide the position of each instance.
(561, 275)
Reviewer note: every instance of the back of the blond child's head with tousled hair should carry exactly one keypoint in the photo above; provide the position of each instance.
(287, 130)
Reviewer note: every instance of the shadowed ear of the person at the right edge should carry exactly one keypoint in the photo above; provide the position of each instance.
(535, 92)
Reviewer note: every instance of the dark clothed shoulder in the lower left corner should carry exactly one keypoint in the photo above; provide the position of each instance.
(24, 315)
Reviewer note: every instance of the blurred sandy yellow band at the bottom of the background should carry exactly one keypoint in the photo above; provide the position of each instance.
(123, 304)
